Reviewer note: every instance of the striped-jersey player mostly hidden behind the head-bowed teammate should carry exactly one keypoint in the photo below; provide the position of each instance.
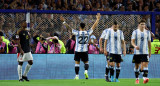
(101, 50)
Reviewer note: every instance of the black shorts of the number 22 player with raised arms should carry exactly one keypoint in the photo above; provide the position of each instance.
(81, 56)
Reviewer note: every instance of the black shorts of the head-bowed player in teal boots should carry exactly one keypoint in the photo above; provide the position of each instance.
(115, 58)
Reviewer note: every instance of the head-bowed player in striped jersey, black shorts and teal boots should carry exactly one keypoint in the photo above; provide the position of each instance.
(115, 37)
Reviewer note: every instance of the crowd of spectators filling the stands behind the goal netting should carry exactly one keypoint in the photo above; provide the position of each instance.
(49, 25)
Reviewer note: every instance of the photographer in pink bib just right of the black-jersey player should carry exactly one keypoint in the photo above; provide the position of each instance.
(41, 44)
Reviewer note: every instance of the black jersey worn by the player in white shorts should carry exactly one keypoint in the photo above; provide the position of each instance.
(24, 41)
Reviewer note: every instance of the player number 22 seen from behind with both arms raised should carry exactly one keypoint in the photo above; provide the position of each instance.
(81, 51)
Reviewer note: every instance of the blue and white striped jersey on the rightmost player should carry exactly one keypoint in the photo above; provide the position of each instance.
(141, 40)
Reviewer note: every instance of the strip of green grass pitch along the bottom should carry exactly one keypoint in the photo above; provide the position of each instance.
(80, 82)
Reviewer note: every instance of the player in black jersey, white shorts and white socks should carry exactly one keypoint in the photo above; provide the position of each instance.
(24, 51)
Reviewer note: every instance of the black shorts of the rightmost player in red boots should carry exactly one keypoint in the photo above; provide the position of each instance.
(140, 58)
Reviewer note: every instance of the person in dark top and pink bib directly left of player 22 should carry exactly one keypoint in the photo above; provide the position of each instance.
(70, 46)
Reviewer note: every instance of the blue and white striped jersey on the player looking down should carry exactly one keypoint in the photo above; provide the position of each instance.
(115, 39)
